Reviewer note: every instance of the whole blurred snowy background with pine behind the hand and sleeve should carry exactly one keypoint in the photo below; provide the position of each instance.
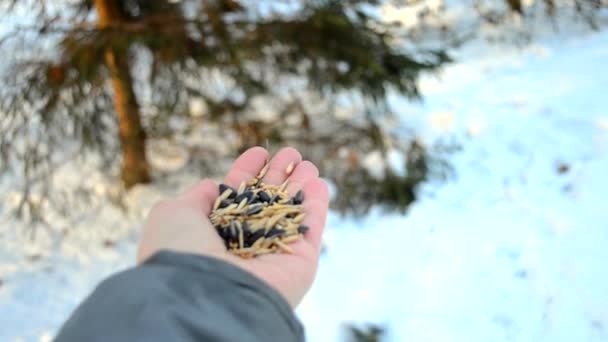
(466, 144)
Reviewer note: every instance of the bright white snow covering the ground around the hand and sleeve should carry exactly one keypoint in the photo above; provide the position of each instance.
(513, 248)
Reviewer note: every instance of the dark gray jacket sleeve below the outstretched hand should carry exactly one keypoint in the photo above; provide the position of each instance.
(183, 297)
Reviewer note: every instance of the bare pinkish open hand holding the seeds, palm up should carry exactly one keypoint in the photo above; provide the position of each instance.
(182, 224)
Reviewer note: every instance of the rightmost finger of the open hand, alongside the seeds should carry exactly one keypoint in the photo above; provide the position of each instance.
(316, 203)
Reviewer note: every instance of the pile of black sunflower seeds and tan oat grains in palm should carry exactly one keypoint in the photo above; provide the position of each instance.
(258, 218)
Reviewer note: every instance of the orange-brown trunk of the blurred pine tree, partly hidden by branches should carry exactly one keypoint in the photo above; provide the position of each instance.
(135, 168)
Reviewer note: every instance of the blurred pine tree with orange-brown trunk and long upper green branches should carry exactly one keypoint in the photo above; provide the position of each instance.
(335, 45)
